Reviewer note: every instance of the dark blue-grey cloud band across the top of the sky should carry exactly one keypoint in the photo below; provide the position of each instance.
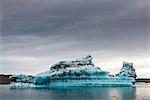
(63, 17)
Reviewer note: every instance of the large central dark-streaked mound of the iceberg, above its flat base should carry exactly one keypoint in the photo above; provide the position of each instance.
(79, 68)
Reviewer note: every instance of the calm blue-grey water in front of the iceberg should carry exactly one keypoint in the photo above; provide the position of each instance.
(140, 92)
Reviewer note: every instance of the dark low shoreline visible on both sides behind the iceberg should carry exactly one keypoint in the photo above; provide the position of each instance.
(4, 79)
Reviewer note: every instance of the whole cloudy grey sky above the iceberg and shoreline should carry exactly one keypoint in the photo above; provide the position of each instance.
(36, 34)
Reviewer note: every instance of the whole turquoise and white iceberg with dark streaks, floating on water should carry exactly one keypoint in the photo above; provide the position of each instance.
(79, 72)
